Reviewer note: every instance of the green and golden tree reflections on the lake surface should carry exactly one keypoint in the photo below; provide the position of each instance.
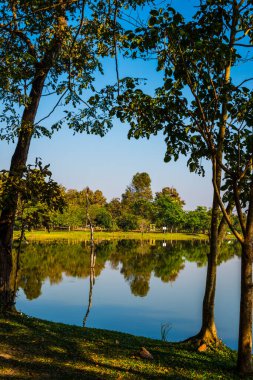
(137, 261)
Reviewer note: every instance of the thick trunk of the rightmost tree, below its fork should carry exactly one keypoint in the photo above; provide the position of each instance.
(244, 361)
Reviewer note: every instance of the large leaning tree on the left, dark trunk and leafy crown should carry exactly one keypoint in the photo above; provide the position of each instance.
(49, 47)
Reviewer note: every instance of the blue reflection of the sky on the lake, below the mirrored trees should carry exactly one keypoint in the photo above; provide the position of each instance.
(115, 308)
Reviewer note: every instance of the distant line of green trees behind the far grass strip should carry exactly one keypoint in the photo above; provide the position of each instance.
(138, 209)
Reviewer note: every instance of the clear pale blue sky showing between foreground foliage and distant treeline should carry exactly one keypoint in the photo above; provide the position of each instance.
(109, 163)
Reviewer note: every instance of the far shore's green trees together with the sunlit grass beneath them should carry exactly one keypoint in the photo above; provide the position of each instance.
(138, 209)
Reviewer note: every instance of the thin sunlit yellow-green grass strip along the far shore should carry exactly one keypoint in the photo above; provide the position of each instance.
(85, 235)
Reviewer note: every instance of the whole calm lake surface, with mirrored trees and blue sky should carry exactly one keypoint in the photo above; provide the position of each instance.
(134, 287)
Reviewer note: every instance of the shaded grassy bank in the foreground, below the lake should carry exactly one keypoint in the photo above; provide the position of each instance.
(36, 349)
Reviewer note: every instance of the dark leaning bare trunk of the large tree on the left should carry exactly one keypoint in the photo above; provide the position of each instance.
(19, 158)
